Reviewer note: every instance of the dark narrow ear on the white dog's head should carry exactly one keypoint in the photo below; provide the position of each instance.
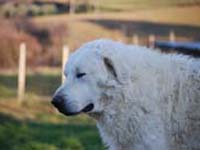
(110, 67)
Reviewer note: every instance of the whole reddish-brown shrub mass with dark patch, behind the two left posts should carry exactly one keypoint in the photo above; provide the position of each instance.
(43, 44)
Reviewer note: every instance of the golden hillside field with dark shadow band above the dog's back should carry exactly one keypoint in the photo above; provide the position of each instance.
(184, 21)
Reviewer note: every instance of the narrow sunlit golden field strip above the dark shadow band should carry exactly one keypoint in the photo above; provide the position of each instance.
(172, 15)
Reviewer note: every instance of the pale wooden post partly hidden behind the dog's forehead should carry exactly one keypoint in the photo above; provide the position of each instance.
(65, 54)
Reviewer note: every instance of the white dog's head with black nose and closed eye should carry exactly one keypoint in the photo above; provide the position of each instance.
(89, 75)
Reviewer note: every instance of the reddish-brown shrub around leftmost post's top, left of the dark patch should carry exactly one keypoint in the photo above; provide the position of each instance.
(10, 39)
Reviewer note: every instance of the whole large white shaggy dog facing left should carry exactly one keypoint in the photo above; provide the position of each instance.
(141, 99)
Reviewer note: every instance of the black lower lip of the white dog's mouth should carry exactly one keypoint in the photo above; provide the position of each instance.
(86, 109)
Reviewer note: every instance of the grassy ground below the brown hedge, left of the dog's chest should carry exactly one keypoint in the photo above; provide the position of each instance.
(35, 125)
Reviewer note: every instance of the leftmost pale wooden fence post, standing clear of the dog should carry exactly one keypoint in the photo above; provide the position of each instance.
(22, 72)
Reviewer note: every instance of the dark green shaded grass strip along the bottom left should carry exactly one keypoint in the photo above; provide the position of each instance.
(28, 135)
